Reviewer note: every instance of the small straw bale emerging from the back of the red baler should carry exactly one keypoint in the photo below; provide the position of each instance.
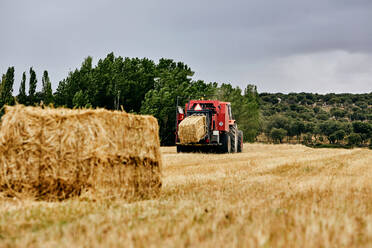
(192, 129)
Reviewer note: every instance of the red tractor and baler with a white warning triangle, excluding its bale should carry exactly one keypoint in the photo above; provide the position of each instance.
(221, 135)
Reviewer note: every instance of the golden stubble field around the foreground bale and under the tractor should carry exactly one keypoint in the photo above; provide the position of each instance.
(267, 196)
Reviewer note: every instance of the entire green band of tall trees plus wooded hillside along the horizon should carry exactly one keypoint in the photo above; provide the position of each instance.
(145, 87)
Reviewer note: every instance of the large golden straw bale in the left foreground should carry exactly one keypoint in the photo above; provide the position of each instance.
(53, 154)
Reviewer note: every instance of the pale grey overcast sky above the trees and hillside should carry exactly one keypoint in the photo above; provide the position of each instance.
(280, 45)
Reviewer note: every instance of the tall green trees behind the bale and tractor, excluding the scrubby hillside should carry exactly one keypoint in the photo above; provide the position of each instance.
(139, 86)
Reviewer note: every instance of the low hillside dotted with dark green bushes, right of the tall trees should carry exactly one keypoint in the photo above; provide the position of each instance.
(314, 118)
